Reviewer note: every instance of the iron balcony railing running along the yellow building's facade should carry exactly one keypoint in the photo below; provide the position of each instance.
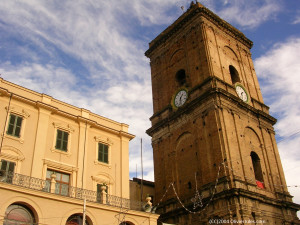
(68, 191)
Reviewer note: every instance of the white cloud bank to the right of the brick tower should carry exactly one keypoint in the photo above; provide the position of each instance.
(279, 71)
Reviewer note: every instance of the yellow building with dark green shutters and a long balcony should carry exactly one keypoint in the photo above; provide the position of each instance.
(57, 158)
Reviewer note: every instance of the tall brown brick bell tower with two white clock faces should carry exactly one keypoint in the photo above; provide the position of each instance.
(214, 148)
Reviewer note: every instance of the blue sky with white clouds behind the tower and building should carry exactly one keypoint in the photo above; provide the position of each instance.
(91, 54)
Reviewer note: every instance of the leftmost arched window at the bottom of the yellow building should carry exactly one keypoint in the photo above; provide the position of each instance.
(18, 214)
